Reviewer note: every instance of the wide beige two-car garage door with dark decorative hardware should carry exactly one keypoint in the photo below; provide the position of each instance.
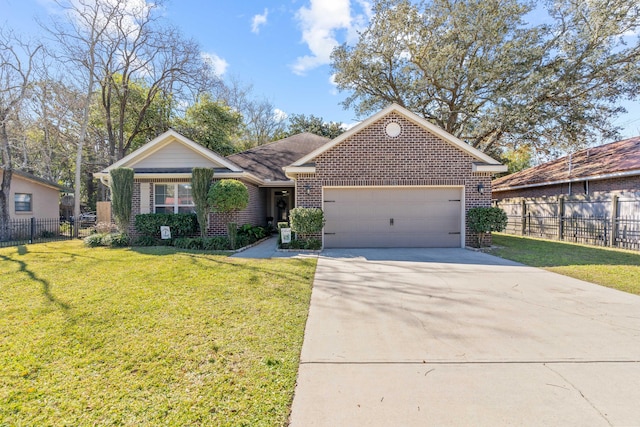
(401, 217)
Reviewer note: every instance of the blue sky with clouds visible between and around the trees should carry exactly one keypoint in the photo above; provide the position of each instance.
(281, 47)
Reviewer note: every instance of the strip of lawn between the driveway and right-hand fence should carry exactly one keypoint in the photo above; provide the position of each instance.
(613, 268)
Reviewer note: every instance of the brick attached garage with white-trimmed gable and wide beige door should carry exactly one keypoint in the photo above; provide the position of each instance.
(395, 180)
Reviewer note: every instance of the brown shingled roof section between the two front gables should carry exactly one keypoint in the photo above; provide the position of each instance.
(267, 161)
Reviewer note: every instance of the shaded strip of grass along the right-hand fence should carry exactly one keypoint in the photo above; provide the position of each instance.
(546, 253)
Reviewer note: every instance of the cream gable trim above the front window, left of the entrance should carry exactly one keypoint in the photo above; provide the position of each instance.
(163, 140)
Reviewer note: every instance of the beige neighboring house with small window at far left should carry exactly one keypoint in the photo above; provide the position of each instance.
(33, 197)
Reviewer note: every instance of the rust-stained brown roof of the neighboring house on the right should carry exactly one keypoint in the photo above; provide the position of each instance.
(621, 158)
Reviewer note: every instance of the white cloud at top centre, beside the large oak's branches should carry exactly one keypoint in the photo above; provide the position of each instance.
(320, 24)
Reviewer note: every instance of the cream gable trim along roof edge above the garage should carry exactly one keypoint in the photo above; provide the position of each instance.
(488, 164)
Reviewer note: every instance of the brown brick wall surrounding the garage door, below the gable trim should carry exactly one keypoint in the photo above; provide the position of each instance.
(415, 157)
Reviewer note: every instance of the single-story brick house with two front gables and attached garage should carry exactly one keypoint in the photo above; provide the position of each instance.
(393, 180)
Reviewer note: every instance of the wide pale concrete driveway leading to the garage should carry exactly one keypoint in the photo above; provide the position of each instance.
(454, 337)
